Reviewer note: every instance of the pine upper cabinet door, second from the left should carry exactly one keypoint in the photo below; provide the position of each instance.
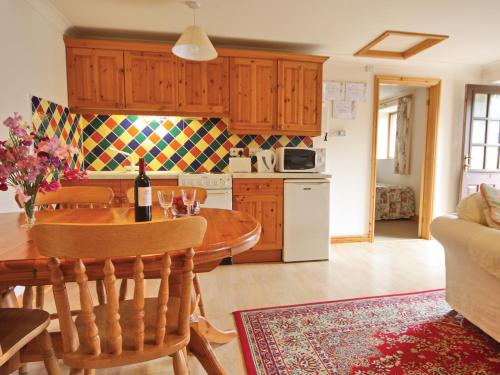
(150, 81)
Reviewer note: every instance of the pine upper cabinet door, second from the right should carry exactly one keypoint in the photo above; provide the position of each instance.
(253, 95)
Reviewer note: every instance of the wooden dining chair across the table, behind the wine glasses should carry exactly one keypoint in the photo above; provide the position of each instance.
(201, 196)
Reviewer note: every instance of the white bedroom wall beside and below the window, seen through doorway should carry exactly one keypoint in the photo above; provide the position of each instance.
(385, 167)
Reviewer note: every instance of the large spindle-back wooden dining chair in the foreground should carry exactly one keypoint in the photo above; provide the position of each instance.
(131, 331)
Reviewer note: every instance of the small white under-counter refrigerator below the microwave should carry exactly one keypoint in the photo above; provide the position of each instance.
(306, 224)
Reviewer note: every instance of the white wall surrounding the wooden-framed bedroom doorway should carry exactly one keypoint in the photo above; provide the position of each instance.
(349, 157)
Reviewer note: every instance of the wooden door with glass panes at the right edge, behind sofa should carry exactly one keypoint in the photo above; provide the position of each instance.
(481, 161)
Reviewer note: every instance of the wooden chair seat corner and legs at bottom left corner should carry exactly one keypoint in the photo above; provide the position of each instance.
(19, 328)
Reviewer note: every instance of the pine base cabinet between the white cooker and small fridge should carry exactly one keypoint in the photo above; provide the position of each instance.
(263, 199)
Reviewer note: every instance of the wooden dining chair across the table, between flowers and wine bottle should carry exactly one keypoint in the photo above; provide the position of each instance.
(69, 198)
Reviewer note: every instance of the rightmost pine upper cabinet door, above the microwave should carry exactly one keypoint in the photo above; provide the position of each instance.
(299, 97)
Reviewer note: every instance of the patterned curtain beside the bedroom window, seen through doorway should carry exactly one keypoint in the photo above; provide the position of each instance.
(403, 137)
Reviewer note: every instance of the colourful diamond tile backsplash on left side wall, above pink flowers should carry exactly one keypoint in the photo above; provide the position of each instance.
(61, 122)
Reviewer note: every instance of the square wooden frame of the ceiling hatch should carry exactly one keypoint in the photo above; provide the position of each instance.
(429, 41)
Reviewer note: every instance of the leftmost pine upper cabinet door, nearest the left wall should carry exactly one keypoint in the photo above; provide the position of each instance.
(95, 78)
